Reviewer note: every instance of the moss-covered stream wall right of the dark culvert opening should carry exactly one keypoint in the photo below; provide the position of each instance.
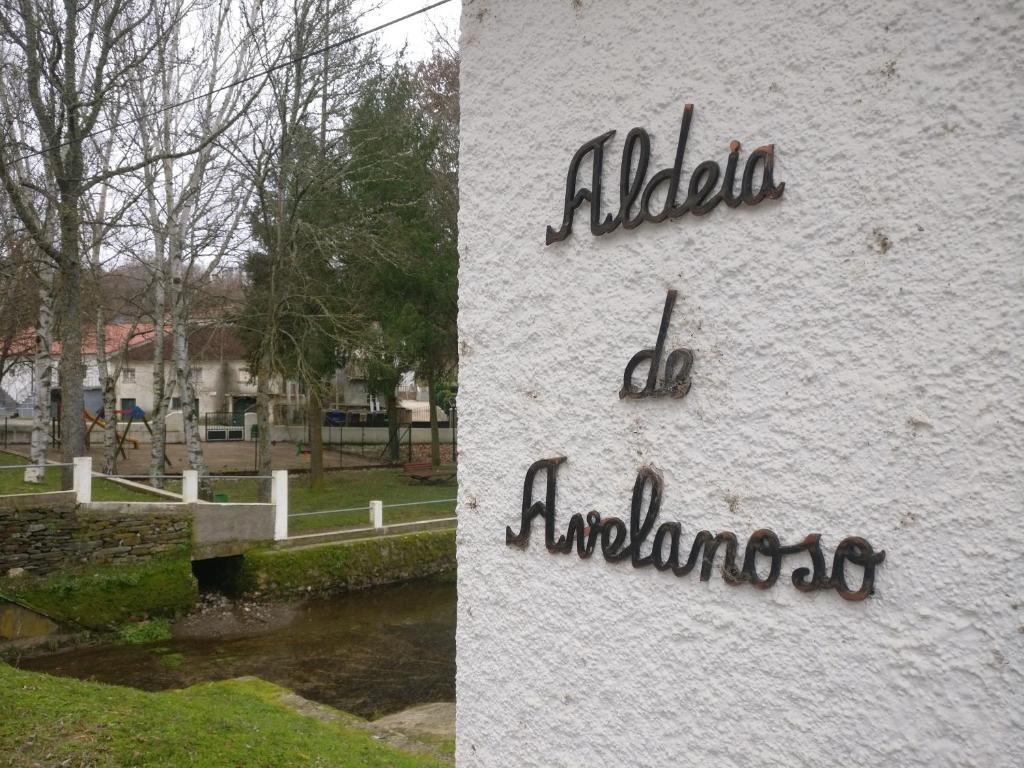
(343, 567)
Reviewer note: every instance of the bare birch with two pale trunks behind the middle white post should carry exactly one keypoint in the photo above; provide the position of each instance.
(194, 206)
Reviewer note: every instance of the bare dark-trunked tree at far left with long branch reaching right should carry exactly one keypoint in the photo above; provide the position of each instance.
(76, 62)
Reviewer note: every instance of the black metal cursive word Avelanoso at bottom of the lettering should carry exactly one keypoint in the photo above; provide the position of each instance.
(613, 533)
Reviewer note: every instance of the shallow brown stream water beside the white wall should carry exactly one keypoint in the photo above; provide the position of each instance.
(370, 654)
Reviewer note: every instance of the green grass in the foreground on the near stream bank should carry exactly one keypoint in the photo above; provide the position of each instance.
(59, 721)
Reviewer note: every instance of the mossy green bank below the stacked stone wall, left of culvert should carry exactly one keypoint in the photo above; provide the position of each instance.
(105, 596)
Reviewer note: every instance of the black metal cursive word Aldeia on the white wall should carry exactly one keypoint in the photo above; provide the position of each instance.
(700, 199)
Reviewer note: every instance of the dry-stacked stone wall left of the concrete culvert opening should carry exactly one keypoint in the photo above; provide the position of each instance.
(48, 533)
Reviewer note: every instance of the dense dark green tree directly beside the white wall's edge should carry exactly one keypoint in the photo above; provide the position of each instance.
(402, 174)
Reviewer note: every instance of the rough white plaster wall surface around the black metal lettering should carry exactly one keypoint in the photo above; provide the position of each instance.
(859, 372)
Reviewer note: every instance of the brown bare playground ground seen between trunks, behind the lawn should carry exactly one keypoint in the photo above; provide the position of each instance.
(224, 457)
